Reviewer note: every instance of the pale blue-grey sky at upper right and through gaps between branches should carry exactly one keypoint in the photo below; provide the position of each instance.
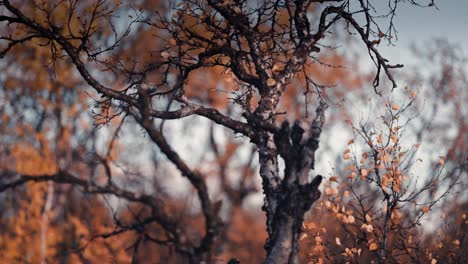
(415, 25)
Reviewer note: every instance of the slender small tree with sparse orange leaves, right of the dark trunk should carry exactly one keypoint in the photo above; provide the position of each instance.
(377, 205)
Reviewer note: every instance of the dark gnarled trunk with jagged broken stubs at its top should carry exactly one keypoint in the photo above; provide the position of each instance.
(288, 199)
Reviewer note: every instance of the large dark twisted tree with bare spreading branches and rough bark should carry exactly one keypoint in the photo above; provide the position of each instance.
(260, 47)
